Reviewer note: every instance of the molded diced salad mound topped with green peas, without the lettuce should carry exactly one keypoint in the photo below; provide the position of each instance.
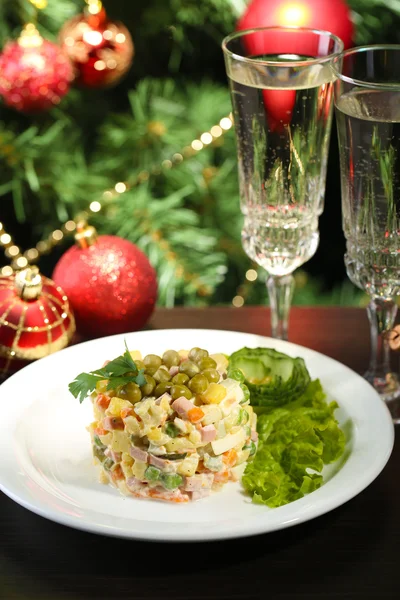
(181, 428)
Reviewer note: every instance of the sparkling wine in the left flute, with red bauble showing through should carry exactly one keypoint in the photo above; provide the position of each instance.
(282, 119)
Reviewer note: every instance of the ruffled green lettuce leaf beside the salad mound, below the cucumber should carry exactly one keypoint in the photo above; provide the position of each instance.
(295, 441)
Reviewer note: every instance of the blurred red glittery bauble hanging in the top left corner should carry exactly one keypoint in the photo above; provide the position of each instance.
(34, 73)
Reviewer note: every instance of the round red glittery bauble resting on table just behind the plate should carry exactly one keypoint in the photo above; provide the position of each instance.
(110, 283)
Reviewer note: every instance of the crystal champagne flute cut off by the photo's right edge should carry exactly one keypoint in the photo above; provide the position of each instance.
(367, 106)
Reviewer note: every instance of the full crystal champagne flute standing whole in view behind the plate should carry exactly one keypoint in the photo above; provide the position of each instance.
(281, 84)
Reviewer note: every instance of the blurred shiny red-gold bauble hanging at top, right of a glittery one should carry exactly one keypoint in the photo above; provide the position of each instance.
(101, 50)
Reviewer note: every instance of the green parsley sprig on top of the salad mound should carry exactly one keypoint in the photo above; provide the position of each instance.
(120, 371)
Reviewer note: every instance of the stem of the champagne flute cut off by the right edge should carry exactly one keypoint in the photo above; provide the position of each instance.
(381, 315)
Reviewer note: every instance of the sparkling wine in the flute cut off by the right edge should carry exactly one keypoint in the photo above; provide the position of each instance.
(369, 126)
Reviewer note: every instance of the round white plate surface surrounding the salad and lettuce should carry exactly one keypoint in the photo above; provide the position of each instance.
(46, 463)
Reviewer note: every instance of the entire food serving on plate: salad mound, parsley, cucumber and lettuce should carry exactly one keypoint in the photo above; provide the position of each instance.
(178, 426)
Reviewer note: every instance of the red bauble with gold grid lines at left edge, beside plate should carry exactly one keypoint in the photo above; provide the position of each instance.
(35, 319)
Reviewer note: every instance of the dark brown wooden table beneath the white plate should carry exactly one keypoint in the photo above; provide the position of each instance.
(352, 553)
